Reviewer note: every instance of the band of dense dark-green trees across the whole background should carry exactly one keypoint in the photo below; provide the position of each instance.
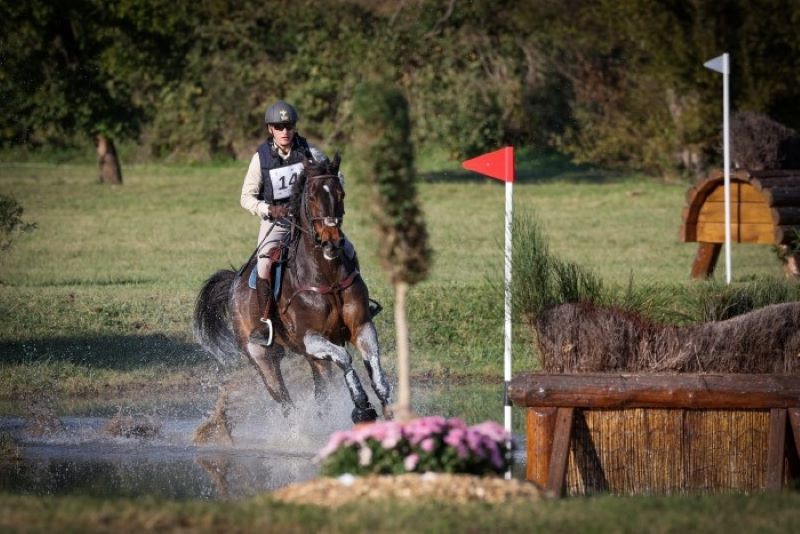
(611, 82)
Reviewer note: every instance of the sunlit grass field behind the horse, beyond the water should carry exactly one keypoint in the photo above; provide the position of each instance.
(103, 288)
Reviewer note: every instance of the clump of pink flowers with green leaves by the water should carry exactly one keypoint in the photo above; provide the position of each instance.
(420, 445)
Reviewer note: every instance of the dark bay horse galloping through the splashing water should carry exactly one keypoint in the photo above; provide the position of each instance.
(322, 305)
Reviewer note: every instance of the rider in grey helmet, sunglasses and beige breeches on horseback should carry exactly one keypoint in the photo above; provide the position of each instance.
(267, 188)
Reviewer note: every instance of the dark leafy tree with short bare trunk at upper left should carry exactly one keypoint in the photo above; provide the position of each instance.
(87, 69)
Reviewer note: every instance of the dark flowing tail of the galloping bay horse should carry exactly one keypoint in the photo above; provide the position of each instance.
(212, 318)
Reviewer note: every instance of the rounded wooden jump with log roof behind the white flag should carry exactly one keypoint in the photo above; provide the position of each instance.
(765, 209)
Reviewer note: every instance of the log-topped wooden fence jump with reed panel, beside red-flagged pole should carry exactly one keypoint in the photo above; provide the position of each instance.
(660, 434)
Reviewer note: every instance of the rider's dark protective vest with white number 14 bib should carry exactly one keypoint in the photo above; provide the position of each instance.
(278, 176)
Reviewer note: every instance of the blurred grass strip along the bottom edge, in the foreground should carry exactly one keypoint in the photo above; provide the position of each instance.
(702, 513)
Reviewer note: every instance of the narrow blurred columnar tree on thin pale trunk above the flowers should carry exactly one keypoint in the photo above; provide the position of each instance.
(385, 161)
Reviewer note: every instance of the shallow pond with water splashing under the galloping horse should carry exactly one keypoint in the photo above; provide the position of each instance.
(80, 453)
